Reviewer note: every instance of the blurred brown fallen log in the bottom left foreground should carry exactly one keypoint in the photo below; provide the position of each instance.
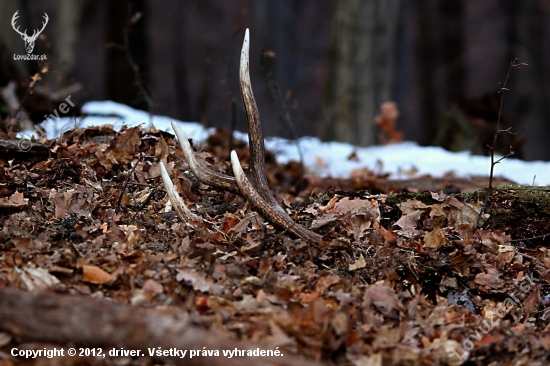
(87, 322)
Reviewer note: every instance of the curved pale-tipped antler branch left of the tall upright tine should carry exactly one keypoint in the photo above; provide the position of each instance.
(202, 172)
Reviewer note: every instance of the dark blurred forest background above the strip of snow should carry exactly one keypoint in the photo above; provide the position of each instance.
(332, 62)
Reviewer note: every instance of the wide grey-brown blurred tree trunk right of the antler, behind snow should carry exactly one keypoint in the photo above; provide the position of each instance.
(362, 54)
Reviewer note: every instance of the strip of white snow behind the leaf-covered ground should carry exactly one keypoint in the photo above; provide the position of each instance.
(323, 158)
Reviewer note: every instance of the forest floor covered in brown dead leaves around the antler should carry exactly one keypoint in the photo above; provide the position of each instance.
(399, 278)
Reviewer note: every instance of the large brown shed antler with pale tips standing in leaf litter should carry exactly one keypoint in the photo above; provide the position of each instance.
(254, 187)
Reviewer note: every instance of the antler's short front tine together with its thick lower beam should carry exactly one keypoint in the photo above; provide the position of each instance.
(274, 213)
